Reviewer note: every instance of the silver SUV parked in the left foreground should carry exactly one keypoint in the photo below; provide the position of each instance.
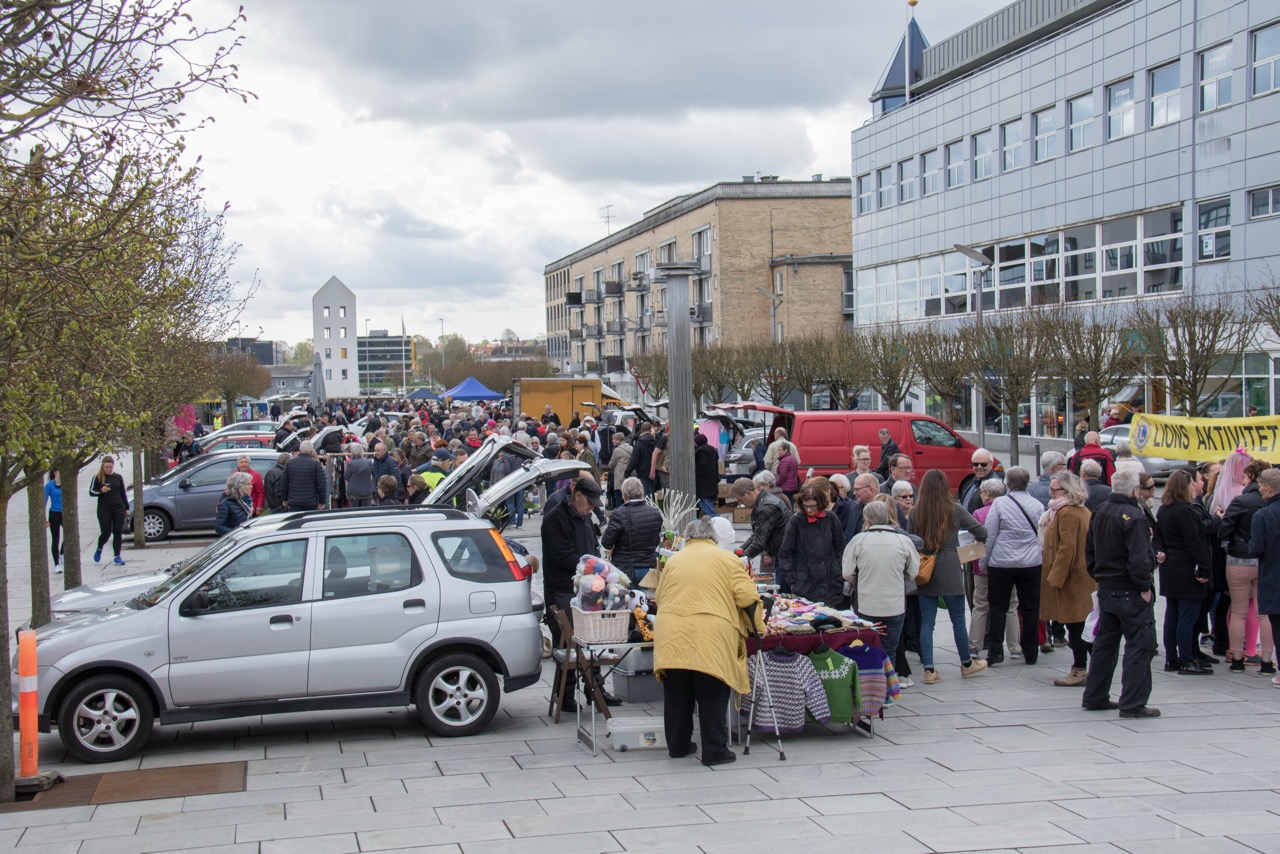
(322, 610)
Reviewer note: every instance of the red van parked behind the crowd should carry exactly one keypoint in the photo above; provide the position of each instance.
(826, 439)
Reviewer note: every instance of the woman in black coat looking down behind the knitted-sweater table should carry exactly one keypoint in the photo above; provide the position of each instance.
(813, 549)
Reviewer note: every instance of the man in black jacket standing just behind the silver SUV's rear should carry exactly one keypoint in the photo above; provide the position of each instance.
(568, 536)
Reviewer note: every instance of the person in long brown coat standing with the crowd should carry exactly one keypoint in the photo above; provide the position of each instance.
(1067, 590)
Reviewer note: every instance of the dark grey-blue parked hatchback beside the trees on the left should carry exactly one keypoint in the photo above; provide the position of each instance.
(186, 497)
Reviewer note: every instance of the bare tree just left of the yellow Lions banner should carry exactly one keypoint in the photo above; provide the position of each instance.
(1096, 350)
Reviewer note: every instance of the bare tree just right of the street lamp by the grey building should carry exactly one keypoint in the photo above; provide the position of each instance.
(1011, 357)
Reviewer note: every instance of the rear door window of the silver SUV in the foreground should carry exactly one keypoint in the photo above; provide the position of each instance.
(356, 567)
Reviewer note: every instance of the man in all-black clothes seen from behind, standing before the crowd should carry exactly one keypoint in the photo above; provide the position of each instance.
(1118, 556)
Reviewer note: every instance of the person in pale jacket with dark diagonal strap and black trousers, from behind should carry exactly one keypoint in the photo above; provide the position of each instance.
(1013, 561)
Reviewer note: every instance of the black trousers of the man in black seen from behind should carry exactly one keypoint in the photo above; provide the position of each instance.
(1123, 614)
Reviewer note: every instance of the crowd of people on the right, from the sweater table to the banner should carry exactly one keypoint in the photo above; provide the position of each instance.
(1073, 559)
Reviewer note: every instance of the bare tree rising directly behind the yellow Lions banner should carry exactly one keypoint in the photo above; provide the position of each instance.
(1187, 336)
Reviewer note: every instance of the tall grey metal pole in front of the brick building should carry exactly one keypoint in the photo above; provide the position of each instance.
(680, 377)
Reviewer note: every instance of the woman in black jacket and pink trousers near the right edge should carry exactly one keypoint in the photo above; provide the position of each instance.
(1242, 570)
